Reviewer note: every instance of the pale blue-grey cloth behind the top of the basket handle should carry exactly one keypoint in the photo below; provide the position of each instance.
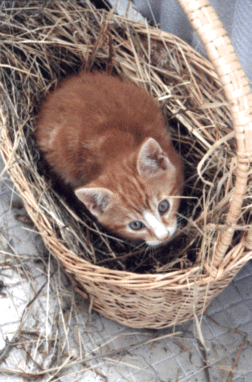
(236, 15)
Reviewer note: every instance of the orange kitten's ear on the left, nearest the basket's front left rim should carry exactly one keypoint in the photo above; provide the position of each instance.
(97, 199)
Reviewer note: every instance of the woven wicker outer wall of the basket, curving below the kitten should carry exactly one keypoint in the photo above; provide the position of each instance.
(139, 301)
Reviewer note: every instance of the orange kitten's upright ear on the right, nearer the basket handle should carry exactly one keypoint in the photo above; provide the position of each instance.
(152, 159)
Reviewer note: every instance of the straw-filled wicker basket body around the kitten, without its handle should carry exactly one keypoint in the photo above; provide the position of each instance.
(43, 42)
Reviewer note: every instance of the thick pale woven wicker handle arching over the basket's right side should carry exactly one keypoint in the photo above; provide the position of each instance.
(218, 46)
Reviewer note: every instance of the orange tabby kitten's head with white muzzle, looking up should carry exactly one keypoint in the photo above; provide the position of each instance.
(138, 199)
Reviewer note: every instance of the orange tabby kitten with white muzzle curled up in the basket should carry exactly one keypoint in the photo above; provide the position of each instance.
(108, 140)
